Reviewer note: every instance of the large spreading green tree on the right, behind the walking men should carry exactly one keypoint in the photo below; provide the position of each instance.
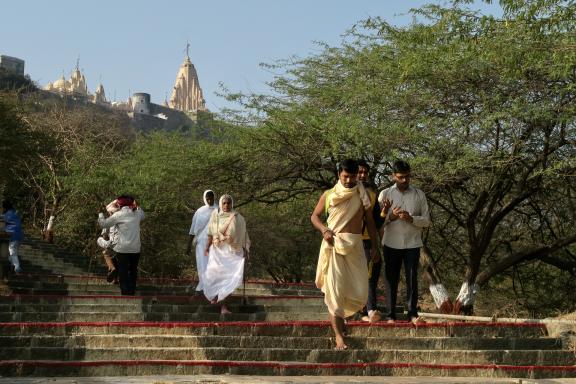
(482, 107)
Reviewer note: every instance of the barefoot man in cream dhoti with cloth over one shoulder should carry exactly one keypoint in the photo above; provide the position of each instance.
(342, 271)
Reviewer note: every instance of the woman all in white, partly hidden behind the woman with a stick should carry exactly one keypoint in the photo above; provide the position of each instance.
(199, 235)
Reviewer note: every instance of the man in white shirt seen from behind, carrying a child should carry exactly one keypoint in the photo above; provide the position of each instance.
(127, 247)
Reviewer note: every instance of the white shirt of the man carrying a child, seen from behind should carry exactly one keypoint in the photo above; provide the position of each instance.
(128, 223)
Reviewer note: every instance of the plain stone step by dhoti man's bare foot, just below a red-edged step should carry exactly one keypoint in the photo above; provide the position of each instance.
(362, 342)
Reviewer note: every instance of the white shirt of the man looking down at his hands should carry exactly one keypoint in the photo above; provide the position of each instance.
(399, 234)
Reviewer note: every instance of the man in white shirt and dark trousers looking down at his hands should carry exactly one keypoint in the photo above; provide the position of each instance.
(407, 217)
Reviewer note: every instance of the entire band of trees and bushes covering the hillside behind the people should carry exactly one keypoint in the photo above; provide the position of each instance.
(482, 107)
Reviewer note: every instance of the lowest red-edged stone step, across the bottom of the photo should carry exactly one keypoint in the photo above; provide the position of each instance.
(257, 368)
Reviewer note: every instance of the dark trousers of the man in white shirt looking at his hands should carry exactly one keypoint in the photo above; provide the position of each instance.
(394, 259)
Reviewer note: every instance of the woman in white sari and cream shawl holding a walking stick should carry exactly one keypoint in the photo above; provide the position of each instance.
(228, 245)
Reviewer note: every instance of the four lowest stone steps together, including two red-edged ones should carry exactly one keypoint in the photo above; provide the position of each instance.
(282, 348)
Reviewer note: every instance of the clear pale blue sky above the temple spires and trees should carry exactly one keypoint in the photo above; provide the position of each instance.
(138, 46)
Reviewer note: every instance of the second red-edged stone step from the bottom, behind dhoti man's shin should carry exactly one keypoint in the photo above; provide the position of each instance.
(279, 329)
